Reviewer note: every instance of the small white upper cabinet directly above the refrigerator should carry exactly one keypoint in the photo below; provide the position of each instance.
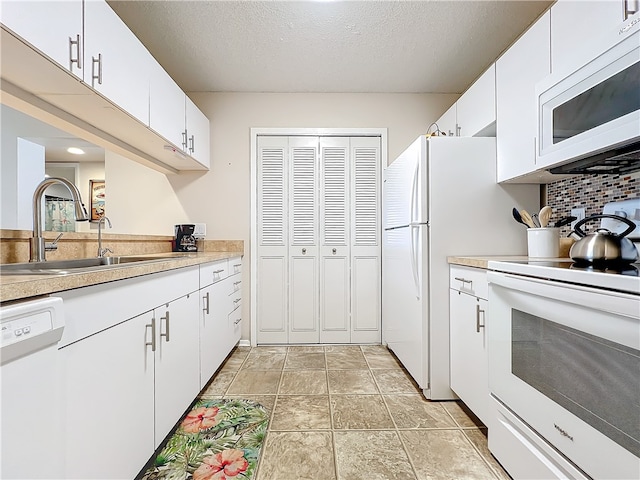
(474, 114)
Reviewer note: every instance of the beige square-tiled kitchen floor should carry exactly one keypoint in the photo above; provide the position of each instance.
(352, 412)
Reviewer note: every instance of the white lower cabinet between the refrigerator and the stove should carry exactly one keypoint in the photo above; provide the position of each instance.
(468, 349)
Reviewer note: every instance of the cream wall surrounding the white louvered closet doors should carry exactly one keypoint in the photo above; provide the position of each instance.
(220, 198)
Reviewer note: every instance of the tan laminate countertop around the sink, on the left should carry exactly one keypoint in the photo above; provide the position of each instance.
(15, 287)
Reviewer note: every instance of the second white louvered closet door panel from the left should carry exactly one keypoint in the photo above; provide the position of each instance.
(303, 240)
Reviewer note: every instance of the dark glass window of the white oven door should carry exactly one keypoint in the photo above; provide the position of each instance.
(595, 379)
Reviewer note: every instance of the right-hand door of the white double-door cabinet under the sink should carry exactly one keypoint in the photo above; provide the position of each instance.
(177, 361)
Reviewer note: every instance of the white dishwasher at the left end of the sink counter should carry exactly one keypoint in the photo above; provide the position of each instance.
(31, 427)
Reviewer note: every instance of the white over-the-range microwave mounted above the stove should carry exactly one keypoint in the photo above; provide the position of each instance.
(589, 120)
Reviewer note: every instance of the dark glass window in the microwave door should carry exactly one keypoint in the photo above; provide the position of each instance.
(613, 98)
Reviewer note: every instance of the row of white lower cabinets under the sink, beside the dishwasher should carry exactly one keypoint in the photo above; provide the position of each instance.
(131, 365)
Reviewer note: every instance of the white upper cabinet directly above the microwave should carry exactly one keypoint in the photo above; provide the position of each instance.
(581, 30)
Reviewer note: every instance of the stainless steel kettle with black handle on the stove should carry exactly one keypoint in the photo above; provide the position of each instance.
(603, 246)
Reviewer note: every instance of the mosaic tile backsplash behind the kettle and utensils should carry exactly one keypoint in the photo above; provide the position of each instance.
(590, 192)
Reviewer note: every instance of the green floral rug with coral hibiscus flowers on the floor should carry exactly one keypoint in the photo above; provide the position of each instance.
(216, 440)
